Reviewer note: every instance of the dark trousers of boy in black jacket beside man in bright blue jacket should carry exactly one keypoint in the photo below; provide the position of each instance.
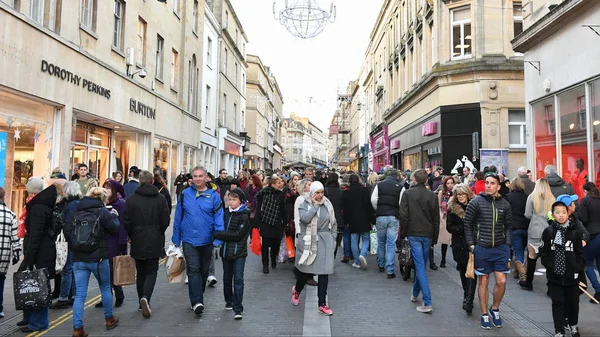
(233, 273)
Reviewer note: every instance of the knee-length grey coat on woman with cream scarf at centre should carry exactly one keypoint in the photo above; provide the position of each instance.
(324, 262)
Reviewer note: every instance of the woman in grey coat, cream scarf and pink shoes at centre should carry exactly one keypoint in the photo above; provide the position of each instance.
(315, 244)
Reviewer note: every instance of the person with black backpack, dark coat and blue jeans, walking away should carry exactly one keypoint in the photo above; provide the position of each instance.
(87, 236)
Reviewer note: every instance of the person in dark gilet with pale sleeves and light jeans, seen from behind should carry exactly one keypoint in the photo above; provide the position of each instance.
(385, 199)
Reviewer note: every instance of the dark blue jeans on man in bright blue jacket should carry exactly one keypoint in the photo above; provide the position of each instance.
(197, 262)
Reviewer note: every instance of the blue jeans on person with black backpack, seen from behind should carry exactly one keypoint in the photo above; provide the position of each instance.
(82, 271)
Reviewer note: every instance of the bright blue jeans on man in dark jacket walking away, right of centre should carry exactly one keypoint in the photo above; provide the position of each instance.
(419, 247)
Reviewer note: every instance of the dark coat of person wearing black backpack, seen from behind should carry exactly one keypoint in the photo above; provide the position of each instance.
(109, 224)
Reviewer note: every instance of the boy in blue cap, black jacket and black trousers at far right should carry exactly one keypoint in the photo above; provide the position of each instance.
(562, 255)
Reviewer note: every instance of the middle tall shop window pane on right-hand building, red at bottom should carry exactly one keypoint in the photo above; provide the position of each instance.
(573, 132)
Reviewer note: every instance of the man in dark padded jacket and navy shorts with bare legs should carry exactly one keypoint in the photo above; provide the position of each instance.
(487, 229)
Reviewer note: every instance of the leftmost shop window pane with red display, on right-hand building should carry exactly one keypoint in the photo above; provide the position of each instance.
(545, 139)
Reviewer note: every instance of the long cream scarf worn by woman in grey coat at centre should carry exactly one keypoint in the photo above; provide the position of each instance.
(309, 253)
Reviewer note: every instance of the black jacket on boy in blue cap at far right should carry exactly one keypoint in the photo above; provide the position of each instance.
(574, 255)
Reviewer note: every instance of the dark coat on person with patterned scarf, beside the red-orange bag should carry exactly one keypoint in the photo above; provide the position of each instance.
(278, 212)
